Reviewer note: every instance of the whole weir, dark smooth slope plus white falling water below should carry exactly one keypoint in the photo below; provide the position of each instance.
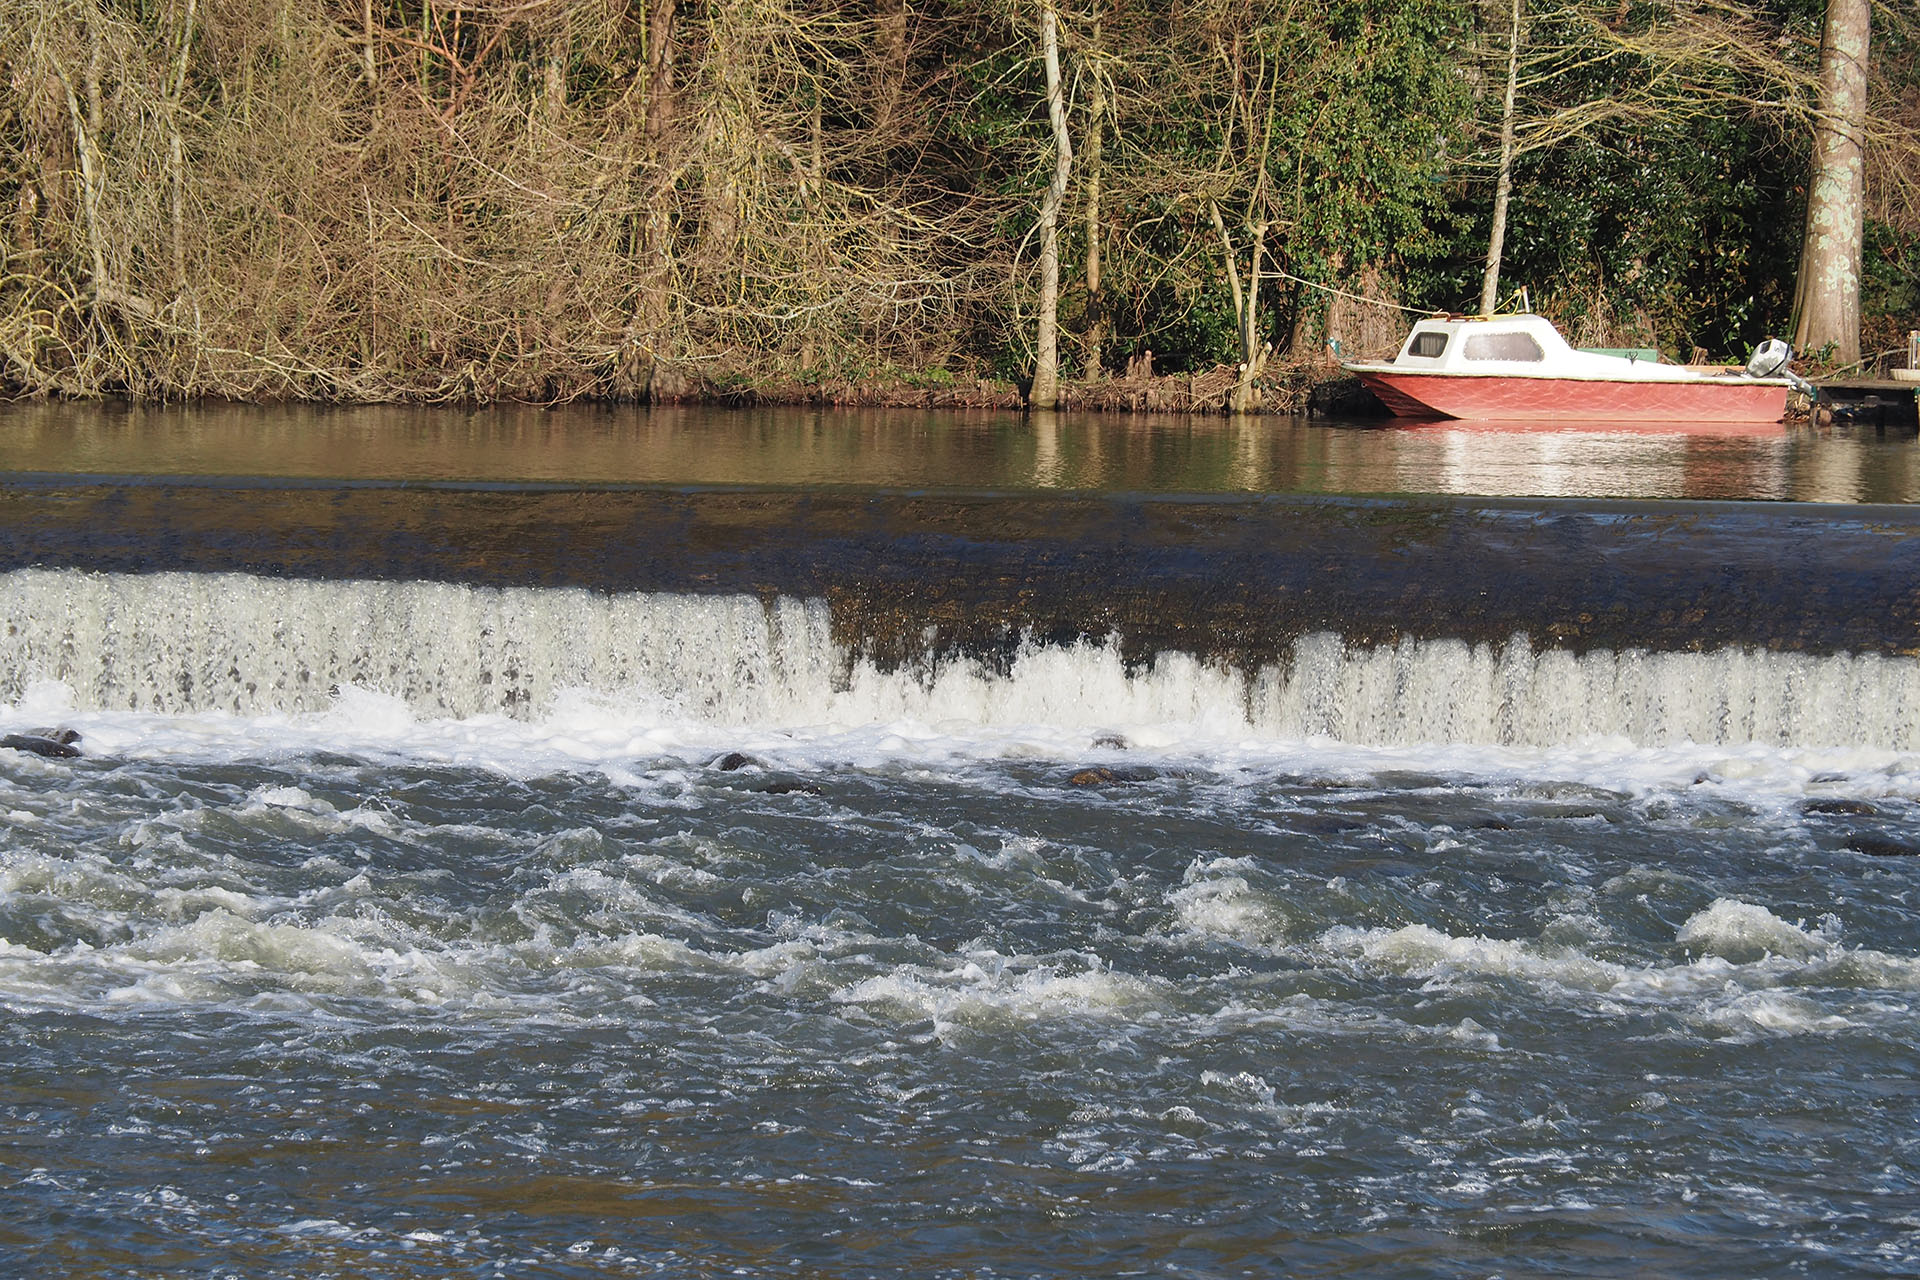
(1370, 621)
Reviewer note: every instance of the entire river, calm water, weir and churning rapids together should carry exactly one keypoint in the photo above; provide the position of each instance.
(855, 847)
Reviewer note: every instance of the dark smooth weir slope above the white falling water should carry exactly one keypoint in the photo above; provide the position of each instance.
(1226, 579)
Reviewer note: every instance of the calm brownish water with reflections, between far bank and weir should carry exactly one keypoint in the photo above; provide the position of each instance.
(932, 450)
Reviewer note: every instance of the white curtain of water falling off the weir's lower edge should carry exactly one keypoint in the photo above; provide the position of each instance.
(241, 644)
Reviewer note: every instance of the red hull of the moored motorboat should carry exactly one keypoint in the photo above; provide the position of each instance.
(1497, 398)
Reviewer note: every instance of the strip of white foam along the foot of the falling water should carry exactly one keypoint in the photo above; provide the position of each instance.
(671, 755)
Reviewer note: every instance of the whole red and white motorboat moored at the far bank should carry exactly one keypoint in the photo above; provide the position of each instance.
(1508, 367)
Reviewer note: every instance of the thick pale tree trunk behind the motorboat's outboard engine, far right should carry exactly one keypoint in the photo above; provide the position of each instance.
(1827, 302)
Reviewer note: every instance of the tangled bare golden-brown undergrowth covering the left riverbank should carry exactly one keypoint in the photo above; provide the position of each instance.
(452, 204)
